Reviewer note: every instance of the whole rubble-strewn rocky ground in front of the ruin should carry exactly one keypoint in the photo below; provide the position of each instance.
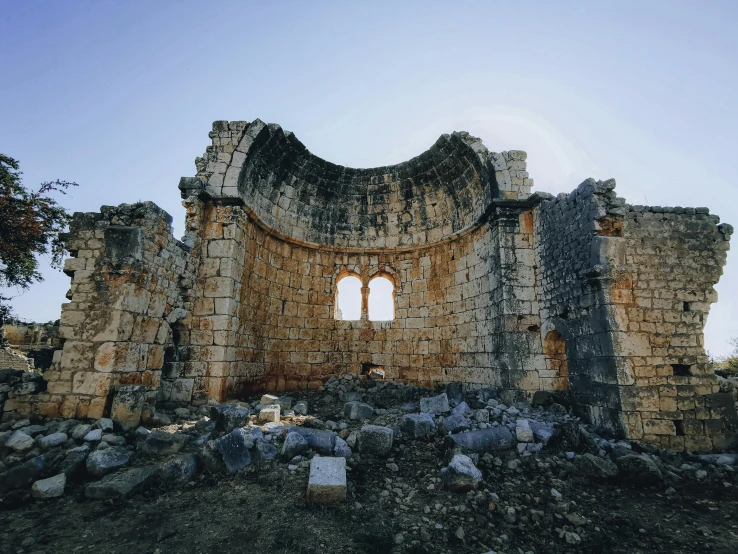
(474, 475)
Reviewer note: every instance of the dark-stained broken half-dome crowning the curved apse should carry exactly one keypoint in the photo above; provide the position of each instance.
(426, 199)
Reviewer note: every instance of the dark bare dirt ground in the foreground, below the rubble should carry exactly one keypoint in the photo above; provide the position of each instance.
(394, 505)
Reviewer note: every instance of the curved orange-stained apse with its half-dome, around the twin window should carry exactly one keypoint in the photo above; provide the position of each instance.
(297, 222)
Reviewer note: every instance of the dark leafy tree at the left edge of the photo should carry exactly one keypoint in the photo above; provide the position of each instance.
(30, 225)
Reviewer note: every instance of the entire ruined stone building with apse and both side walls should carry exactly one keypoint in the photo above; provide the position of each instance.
(491, 286)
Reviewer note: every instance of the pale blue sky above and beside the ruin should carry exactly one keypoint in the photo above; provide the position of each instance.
(120, 96)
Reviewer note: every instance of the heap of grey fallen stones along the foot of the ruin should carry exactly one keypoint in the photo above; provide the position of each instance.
(442, 462)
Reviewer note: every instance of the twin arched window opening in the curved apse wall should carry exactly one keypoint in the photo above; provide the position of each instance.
(380, 298)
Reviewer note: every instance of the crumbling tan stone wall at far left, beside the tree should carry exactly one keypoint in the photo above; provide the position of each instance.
(128, 275)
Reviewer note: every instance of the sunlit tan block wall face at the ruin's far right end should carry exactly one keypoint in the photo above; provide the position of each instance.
(674, 256)
